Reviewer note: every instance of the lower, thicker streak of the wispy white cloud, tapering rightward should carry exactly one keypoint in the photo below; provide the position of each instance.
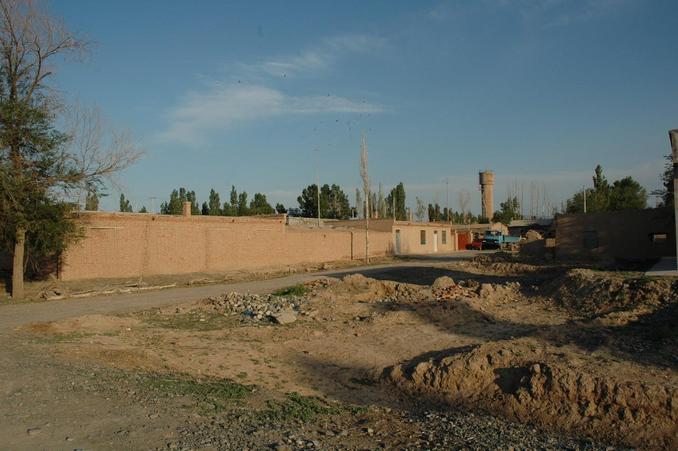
(221, 107)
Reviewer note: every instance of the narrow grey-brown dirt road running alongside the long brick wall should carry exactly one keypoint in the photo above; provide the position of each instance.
(12, 316)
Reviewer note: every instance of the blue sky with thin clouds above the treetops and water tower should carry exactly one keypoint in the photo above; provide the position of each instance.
(221, 93)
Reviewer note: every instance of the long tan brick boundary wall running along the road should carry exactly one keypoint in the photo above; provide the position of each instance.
(118, 245)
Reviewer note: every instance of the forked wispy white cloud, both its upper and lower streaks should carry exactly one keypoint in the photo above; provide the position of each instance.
(222, 106)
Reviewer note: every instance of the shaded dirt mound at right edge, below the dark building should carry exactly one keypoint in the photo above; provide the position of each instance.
(595, 293)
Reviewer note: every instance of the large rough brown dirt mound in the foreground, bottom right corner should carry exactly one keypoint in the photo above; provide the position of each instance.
(529, 383)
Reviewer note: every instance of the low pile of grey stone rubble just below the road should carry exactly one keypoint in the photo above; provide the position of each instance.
(254, 307)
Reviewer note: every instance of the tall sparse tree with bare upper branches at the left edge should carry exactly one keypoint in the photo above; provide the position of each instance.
(38, 163)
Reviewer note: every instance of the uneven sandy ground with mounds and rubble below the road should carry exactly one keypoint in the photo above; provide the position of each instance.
(560, 358)
